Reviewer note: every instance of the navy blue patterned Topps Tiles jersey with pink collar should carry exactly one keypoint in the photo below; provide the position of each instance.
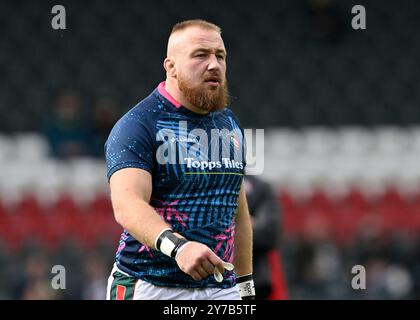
(197, 165)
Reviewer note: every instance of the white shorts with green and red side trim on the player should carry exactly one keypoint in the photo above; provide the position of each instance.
(122, 286)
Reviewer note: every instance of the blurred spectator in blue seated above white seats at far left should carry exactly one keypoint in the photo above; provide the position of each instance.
(66, 128)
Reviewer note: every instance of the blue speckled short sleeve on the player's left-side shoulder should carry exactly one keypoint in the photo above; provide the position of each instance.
(130, 144)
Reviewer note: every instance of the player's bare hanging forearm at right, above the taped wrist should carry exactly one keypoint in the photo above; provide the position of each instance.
(243, 237)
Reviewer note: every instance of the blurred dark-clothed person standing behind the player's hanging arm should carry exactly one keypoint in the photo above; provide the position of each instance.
(265, 214)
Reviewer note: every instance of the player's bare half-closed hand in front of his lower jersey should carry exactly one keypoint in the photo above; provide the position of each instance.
(198, 261)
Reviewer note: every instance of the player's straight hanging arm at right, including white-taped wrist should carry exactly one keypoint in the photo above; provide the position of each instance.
(243, 247)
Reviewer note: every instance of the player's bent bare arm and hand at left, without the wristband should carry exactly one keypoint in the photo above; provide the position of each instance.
(131, 189)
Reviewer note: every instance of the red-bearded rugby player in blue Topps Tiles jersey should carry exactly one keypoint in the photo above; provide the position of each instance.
(175, 166)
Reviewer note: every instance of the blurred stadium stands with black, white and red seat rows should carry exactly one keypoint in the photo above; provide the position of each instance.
(340, 109)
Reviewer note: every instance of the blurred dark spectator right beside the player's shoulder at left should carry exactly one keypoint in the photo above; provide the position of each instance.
(105, 114)
